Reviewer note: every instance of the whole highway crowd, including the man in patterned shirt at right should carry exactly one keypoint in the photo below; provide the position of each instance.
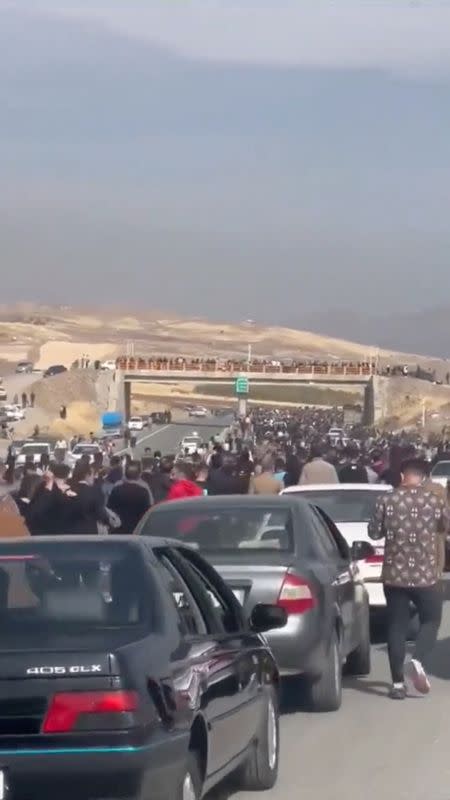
(261, 454)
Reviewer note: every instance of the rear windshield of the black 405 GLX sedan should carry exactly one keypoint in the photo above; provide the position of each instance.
(65, 588)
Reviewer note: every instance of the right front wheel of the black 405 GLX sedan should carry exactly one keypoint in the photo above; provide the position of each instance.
(260, 771)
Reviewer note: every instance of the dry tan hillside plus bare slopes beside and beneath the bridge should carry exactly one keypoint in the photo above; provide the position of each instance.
(49, 336)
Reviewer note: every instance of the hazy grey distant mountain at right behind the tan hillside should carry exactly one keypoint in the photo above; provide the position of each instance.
(426, 332)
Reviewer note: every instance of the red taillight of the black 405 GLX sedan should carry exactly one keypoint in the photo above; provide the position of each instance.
(66, 707)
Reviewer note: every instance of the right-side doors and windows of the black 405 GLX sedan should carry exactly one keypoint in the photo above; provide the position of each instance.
(236, 680)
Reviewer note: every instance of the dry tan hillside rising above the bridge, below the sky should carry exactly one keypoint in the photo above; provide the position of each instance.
(61, 335)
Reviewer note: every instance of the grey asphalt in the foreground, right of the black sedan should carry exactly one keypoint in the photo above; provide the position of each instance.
(373, 747)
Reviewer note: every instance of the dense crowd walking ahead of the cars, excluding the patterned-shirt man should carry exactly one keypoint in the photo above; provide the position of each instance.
(260, 454)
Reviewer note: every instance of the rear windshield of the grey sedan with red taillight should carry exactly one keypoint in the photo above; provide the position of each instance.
(224, 528)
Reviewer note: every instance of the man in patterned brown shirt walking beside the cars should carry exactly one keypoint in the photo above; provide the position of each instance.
(412, 519)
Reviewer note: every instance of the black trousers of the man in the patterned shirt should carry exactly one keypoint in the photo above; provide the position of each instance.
(428, 602)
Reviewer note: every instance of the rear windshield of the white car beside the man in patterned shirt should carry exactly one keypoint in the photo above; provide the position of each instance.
(344, 506)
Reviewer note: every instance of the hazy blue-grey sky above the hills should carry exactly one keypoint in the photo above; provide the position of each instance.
(229, 159)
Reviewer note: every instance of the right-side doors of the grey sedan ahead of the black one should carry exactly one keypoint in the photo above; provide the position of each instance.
(341, 576)
